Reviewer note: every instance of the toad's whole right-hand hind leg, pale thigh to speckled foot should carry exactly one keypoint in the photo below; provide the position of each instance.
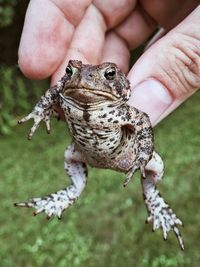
(160, 213)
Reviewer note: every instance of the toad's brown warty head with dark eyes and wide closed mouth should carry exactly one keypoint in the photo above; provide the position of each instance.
(94, 83)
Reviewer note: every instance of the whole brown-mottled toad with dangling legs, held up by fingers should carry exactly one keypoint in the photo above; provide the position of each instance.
(106, 133)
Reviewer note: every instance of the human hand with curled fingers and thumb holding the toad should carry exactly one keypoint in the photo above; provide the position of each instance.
(98, 31)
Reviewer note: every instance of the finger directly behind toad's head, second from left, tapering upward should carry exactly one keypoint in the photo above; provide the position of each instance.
(87, 42)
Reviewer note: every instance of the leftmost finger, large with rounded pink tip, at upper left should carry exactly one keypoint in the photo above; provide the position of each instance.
(48, 30)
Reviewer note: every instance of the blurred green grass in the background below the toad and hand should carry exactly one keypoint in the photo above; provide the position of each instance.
(106, 225)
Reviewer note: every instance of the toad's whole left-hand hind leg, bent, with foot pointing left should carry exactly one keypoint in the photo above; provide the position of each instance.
(56, 203)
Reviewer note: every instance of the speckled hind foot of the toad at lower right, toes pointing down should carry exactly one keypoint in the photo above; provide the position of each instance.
(161, 215)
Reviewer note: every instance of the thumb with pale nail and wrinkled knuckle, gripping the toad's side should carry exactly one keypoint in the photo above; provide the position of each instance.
(169, 71)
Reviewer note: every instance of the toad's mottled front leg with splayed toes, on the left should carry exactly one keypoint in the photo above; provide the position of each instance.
(44, 109)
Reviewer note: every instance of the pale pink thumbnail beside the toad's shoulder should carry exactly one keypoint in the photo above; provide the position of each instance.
(151, 97)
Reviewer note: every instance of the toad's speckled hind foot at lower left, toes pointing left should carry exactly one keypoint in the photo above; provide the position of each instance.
(52, 205)
